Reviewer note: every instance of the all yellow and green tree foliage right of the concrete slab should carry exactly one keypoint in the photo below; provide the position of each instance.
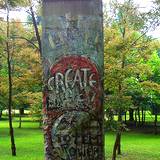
(130, 60)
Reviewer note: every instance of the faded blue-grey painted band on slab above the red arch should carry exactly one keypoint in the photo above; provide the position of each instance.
(74, 35)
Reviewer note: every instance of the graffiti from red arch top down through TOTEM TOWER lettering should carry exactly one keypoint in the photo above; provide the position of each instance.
(72, 98)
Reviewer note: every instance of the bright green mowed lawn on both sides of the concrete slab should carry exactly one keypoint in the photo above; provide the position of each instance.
(29, 142)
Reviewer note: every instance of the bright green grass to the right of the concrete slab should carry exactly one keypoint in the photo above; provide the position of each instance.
(135, 146)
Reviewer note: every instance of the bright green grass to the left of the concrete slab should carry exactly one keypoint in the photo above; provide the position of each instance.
(29, 141)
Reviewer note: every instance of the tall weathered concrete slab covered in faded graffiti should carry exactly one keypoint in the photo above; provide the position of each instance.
(73, 71)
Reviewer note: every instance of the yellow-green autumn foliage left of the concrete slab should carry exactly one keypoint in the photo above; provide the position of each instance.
(26, 69)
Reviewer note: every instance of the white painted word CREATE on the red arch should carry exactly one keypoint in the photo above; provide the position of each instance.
(82, 77)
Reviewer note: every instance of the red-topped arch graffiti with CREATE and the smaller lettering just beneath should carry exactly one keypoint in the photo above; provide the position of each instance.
(73, 85)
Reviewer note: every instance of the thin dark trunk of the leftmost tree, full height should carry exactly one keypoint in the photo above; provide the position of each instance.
(13, 147)
